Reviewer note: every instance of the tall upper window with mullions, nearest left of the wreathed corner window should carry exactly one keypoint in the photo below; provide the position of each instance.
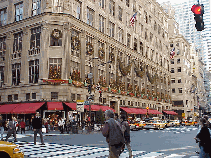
(35, 37)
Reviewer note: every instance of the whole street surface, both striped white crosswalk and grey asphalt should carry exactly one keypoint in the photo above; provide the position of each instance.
(170, 142)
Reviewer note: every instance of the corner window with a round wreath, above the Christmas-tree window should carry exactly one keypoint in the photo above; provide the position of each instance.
(56, 38)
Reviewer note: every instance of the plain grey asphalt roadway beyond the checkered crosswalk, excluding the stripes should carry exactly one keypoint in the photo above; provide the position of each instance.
(177, 140)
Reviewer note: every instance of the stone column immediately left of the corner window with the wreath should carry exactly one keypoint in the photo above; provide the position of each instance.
(43, 67)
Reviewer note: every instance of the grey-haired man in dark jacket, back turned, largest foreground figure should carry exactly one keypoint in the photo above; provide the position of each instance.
(113, 133)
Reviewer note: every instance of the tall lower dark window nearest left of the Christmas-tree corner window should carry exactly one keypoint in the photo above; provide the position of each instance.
(34, 71)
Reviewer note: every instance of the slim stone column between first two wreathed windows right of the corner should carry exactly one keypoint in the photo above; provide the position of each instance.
(83, 54)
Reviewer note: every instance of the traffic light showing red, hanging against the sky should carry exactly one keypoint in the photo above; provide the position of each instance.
(198, 11)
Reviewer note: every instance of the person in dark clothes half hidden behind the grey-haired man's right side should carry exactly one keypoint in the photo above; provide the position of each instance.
(125, 124)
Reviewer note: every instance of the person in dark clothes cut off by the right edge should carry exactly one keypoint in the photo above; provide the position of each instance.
(204, 139)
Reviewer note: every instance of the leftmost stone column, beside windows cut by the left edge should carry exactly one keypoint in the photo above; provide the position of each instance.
(8, 66)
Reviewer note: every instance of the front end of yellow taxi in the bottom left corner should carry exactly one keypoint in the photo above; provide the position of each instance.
(10, 150)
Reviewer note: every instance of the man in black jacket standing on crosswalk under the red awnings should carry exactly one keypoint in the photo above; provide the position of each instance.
(37, 127)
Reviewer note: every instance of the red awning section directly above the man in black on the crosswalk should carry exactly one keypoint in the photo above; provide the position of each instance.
(27, 108)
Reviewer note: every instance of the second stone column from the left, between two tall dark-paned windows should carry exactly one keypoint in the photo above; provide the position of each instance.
(24, 77)
